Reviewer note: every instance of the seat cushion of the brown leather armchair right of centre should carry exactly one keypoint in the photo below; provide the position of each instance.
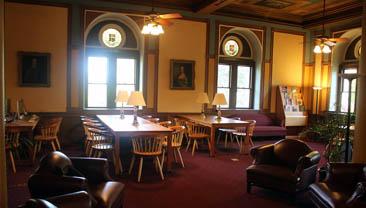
(271, 172)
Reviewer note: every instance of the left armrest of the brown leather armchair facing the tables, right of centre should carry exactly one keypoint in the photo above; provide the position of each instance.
(262, 154)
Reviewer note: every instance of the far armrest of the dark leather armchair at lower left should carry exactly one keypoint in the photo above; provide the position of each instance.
(94, 169)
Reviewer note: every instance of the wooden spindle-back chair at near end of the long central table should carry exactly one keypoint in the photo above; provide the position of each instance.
(146, 147)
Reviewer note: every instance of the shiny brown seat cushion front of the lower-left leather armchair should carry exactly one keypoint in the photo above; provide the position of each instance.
(108, 194)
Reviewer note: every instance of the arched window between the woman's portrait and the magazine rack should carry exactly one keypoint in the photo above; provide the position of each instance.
(235, 75)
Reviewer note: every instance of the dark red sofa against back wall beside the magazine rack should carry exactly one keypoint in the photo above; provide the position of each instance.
(265, 126)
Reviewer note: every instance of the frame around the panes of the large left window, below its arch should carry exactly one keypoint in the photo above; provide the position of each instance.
(112, 55)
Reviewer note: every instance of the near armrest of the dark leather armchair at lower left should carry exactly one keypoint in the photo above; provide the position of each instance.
(46, 185)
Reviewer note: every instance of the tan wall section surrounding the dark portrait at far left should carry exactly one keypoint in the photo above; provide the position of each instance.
(36, 28)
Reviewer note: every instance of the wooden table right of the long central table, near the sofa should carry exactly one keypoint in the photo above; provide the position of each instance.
(213, 123)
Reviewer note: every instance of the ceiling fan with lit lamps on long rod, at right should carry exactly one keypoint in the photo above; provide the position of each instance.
(323, 42)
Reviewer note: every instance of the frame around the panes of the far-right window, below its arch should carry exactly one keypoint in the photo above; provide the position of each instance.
(342, 68)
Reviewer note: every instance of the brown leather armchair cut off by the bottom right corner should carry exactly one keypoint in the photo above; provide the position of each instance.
(342, 185)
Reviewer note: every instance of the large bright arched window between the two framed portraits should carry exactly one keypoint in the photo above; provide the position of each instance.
(112, 63)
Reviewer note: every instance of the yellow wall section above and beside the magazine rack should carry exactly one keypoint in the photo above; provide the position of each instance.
(287, 62)
